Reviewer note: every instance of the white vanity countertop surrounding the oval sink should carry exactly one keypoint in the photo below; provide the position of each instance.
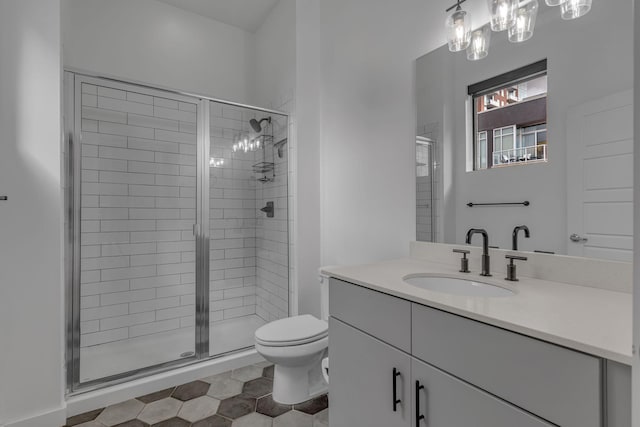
(591, 320)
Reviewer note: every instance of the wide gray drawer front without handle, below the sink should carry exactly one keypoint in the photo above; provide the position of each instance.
(560, 385)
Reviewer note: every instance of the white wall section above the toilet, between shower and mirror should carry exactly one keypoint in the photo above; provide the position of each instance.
(368, 48)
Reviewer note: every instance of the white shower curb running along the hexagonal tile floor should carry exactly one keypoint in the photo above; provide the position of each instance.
(89, 401)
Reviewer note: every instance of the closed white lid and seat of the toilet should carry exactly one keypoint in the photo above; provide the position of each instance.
(294, 330)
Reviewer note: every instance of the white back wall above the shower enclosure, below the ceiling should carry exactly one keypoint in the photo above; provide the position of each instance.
(158, 44)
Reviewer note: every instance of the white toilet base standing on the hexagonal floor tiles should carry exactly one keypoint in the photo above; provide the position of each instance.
(292, 385)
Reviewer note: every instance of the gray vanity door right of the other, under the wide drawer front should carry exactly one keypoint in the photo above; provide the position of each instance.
(445, 401)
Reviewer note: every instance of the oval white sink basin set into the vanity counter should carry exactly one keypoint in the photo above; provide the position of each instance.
(454, 286)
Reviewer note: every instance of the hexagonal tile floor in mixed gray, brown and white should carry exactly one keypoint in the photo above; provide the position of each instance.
(238, 398)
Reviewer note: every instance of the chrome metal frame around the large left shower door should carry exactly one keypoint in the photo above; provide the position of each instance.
(73, 138)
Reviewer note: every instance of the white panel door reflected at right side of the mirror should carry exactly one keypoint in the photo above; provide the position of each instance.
(600, 178)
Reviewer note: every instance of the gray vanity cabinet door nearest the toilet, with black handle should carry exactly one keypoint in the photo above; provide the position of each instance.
(361, 380)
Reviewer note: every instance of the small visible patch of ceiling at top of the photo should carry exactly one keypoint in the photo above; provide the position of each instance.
(245, 14)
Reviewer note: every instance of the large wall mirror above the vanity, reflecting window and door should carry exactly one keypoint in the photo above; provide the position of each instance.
(584, 187)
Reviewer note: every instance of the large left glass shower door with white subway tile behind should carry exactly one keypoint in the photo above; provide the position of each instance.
(136, 216)
